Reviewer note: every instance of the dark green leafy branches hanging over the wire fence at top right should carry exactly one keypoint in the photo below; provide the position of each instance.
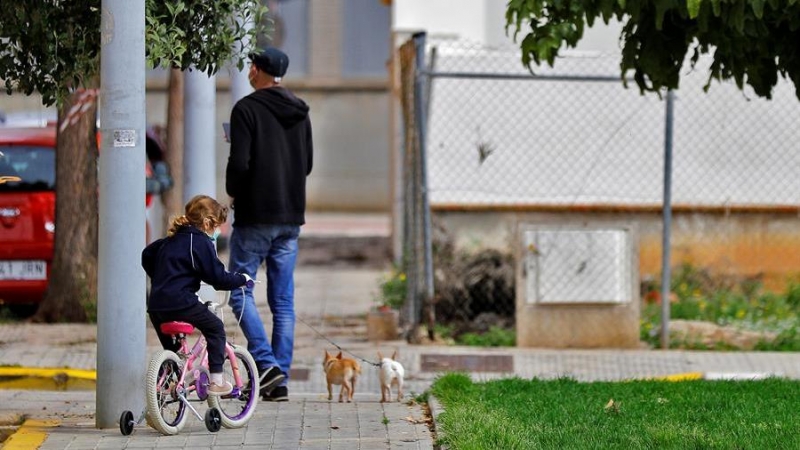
(751, 41)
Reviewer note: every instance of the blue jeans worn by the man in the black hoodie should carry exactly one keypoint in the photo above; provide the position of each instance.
(250, 246)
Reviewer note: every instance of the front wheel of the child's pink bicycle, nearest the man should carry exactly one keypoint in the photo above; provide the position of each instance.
(237, 408)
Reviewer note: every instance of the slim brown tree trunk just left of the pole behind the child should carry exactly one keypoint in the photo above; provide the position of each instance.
(173, 198)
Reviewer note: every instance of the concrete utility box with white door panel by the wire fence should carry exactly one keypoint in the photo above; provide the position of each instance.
(577, 286)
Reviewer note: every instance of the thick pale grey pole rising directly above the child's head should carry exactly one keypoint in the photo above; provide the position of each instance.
(199, 162)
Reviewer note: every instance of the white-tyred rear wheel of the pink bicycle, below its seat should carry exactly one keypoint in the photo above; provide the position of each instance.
(165, 411)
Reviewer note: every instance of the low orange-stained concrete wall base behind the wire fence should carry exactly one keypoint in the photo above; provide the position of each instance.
(764, 244)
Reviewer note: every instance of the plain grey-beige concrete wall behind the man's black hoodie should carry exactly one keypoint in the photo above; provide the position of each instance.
(351, 148)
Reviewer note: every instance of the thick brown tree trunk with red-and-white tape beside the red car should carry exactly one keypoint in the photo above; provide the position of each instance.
(72, 290)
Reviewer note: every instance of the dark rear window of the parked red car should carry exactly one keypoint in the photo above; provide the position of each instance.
(27, 168)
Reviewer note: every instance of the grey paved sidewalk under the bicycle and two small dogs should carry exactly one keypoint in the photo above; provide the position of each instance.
(333, 300)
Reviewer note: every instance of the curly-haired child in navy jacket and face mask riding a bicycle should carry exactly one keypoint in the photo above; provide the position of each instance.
(176, 265)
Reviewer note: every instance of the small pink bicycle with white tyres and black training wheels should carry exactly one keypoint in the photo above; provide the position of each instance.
(176, 380)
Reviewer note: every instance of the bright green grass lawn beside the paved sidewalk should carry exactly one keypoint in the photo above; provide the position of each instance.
(630, 415)
